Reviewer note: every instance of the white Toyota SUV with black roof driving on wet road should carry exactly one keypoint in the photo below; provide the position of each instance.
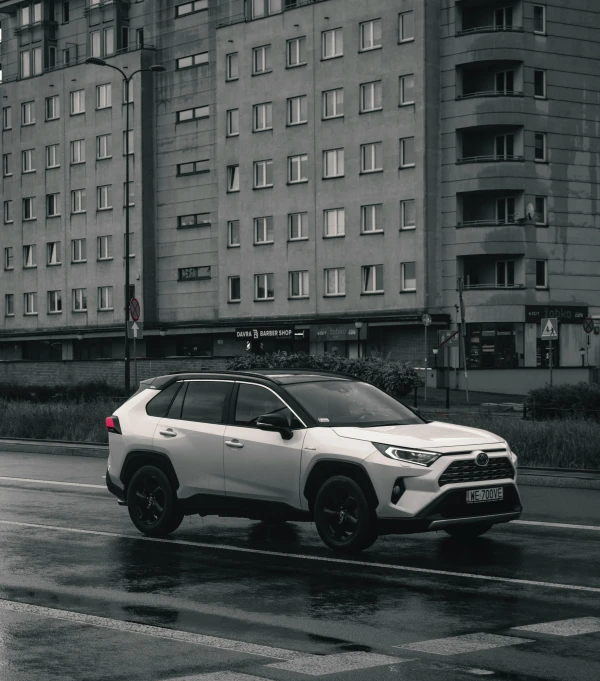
(279, 445)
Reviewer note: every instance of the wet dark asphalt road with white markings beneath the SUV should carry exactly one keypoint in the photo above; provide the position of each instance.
(84, 596)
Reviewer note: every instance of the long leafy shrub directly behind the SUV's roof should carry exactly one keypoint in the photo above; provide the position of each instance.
(394, 378)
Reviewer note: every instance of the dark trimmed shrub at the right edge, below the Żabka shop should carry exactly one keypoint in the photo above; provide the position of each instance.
(564, 401)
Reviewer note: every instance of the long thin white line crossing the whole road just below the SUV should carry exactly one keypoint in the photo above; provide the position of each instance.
(316, 559)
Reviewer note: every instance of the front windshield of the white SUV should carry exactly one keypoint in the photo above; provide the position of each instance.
(351, 403)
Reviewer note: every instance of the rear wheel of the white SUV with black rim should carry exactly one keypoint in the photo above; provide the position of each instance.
(152, 504)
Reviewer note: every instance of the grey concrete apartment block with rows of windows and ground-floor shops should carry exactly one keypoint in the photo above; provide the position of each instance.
(307, 175)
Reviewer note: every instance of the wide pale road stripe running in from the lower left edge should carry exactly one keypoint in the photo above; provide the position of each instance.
(159, 632)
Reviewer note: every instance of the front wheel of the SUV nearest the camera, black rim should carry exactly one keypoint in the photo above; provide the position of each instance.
(344, 519)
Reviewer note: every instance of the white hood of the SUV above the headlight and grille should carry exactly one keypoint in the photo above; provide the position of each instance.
(429, 436)
